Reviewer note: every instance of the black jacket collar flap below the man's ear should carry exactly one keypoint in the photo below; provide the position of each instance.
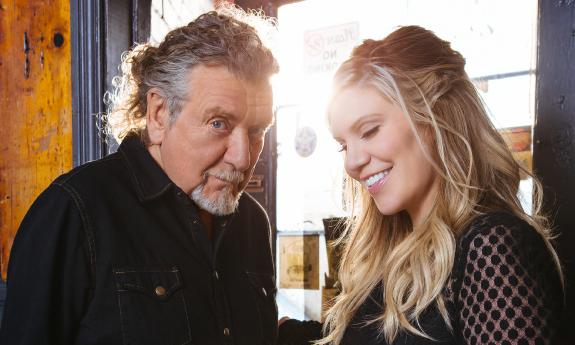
(149, 180)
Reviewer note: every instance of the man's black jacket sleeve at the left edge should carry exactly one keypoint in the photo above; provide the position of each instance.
(49, 277)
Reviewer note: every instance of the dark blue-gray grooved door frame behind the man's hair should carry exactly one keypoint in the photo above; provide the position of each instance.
(101, 32)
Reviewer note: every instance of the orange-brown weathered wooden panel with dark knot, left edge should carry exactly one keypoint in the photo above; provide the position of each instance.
(35, 106)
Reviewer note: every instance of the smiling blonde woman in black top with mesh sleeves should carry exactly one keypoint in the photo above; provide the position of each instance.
(439, 249)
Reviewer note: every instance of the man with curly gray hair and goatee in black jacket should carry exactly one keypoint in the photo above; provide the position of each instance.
(156, 244)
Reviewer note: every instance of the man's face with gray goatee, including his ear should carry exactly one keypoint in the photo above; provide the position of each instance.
(211, 148)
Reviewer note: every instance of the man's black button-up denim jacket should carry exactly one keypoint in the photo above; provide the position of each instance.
(114, 253)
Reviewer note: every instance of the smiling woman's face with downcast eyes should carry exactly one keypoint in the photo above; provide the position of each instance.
(382, 152)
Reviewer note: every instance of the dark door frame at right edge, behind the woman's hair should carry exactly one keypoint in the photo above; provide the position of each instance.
(554, 135)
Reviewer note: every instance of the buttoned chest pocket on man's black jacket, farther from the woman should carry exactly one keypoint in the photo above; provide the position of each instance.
(152, 307)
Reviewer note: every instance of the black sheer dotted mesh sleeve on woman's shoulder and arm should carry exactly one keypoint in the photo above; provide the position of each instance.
(509, 290)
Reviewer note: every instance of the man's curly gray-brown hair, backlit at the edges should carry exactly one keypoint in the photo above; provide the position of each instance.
(224, 37)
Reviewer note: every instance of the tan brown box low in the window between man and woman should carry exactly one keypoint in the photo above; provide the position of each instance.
(299, 262)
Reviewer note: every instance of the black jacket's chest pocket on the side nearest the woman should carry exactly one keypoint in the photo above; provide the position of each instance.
(264, 290)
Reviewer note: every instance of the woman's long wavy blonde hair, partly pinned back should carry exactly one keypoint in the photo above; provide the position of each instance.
(425, 77)
